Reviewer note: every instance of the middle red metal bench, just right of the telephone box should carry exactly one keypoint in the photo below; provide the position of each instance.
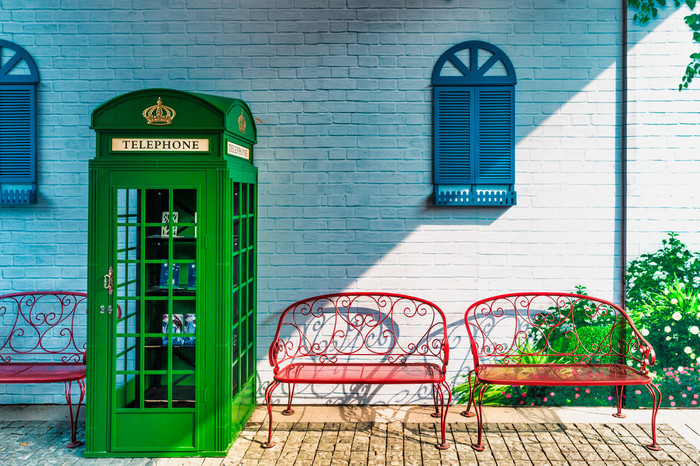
(361, 338)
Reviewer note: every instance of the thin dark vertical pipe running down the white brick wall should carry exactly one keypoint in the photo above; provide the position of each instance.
(623, 158)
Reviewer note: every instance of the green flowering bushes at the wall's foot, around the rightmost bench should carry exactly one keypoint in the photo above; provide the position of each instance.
(663, 299)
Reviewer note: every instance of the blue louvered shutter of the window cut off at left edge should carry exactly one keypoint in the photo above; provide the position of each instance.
(17, 134)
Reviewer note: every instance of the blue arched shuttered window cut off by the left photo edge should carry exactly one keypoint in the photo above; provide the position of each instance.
(18, 81)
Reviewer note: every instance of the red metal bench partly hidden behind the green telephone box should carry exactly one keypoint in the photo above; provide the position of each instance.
(39, 344)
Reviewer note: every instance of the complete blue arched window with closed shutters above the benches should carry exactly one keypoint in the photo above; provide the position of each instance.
(474, 126)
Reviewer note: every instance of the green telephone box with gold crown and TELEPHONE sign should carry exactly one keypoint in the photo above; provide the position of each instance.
(171, 275)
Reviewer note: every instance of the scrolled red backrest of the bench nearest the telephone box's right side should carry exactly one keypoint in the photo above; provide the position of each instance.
(361, 327)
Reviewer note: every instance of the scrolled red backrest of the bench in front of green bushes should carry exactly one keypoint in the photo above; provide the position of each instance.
(532, 328)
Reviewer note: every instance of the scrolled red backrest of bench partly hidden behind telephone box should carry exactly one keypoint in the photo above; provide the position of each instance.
(43, 326)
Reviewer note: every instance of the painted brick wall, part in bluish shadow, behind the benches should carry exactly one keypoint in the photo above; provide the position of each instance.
(342, 88)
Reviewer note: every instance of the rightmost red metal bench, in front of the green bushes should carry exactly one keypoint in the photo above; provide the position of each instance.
(556, 339)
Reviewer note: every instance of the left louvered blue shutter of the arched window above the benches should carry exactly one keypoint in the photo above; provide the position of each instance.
(453, 135)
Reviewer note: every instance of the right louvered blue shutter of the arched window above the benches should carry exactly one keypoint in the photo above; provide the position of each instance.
(495, 135)
